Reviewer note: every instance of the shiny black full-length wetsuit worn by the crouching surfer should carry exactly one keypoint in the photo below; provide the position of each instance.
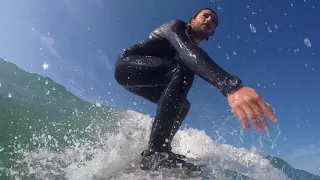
(161, 68)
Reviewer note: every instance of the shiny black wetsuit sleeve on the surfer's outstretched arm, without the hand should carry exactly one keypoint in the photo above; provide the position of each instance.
(196, 60)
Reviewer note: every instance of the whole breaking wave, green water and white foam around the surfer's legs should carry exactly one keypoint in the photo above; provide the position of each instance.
(49, 133)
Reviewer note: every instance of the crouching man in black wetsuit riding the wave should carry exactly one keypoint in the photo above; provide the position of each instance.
(161, 69)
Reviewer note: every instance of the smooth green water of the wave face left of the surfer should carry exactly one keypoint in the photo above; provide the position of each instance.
(36, 112)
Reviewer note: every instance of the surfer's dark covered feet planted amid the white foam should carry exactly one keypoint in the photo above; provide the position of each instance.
(156, 160)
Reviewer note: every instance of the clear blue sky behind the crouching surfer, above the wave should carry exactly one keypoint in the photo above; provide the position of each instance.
(271, 45)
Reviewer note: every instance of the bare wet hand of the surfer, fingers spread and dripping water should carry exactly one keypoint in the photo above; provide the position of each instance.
(246, 102)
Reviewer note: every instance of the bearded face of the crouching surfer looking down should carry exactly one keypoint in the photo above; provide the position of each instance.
(205, 23)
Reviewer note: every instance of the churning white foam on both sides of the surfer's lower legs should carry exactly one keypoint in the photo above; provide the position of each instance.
(119, 155)
